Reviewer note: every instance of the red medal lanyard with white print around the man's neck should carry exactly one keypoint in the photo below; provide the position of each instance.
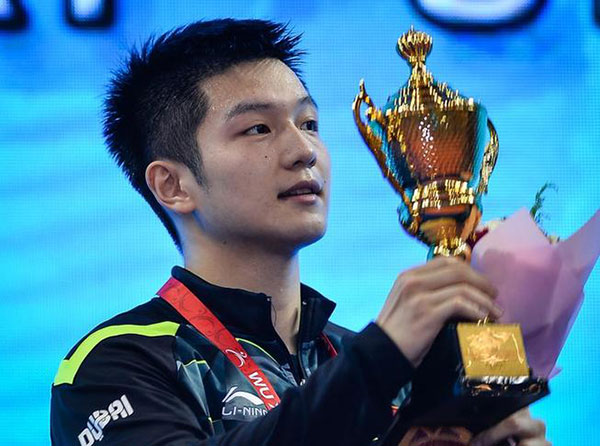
(203, 320)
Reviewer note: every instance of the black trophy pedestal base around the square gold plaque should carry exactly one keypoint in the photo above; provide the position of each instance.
(443, 395)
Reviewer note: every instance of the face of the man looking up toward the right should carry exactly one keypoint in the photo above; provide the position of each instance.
(265, 169)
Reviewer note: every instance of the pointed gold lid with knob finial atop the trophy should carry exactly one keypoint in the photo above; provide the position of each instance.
(422, 93)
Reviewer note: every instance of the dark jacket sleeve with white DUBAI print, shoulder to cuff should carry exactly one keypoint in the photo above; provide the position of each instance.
(119, 400)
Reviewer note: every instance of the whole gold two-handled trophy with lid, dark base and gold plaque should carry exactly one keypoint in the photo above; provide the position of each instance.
(430, 143)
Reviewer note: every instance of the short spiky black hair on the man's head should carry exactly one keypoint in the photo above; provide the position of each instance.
(155, 103)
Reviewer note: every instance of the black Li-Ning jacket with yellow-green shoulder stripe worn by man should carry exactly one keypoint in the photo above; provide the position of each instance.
(147, 377)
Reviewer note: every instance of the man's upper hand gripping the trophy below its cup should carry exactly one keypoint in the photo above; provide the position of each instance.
(424, 298)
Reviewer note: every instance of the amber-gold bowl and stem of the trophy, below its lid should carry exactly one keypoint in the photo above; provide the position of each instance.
(443, 151)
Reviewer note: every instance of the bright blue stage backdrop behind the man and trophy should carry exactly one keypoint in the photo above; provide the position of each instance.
(78, 244)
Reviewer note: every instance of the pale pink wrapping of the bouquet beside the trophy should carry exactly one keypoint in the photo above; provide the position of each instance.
(540, 284)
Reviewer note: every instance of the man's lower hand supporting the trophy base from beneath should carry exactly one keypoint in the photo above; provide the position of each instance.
(518, 429)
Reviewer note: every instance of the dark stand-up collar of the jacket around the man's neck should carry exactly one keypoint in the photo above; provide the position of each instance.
(249, 313)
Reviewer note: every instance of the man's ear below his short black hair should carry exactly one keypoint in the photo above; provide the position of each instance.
(170, 183)
